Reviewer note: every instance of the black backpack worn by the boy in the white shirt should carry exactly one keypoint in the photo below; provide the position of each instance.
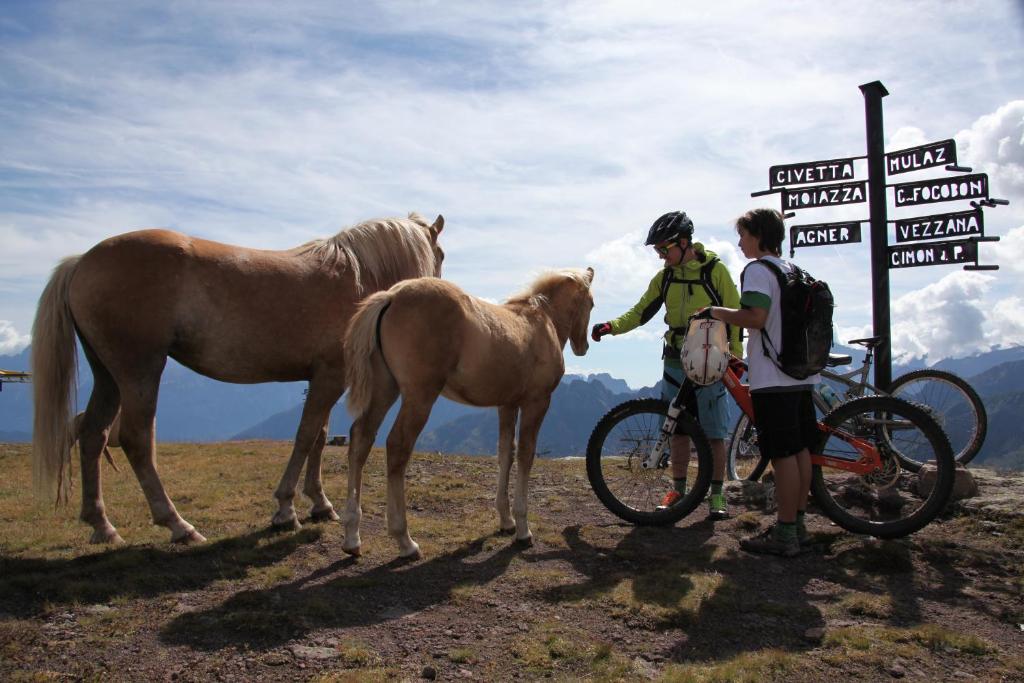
(807, 328)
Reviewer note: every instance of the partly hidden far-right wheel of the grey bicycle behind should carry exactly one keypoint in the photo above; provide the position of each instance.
(954, 404)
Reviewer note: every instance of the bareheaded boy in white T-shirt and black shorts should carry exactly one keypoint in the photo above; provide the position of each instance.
(784, 413)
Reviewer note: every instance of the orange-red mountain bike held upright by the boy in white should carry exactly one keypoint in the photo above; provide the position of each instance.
(859, 479)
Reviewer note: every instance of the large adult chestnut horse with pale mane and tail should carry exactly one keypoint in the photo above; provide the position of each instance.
(233, 314)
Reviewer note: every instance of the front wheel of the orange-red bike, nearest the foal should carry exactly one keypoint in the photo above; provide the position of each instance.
(617, 449)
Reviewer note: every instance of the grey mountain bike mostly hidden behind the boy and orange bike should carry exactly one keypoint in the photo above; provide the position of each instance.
(954, 404)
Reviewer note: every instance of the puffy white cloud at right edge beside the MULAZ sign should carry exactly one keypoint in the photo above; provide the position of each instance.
(995, 144)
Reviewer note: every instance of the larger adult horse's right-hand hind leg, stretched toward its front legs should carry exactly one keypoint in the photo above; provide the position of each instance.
(139, 414)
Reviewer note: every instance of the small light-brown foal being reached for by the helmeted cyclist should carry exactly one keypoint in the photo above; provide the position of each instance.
(425, 338)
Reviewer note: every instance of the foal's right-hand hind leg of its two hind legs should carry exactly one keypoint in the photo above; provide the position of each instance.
(412, 418)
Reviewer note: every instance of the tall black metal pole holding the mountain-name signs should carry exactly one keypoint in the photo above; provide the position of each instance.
(874, 93)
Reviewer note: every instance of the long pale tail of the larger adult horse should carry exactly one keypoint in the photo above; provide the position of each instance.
(55, 365)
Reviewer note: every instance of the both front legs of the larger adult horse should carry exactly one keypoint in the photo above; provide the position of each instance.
(324, 394)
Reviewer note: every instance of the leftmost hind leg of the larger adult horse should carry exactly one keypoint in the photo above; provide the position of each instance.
(93, 433)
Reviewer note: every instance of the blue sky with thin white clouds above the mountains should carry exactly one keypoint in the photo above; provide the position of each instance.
(548, 135)
